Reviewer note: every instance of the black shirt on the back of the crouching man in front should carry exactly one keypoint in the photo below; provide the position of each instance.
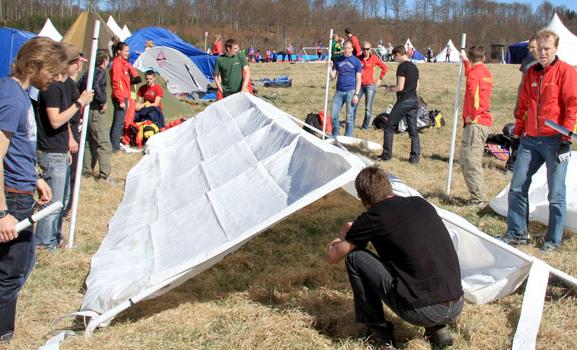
(413, 243)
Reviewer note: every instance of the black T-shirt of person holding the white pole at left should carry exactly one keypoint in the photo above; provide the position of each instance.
(49, 139)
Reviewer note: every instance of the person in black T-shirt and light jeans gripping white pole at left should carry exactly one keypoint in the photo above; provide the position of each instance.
(57, 105)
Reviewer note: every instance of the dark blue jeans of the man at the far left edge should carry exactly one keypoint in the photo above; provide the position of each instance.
(16, 261)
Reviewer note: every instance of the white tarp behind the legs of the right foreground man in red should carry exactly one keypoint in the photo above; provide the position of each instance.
(538, 203)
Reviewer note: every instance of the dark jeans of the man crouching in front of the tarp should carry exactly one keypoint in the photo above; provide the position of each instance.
(372, 283)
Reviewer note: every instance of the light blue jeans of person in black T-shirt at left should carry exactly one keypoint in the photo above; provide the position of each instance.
(56, 173)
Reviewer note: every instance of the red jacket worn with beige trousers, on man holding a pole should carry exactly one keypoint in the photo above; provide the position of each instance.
(477, 104)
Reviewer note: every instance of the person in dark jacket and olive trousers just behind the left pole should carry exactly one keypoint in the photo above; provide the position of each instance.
(98, 138)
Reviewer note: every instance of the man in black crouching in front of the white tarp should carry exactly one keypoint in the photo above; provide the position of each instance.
(415, 270)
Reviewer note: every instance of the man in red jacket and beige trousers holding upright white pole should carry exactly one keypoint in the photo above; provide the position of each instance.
(477, 121)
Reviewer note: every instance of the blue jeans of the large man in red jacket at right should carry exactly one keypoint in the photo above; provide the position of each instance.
(532, 153)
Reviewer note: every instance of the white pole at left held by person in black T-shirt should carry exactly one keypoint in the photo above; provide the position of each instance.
(85, 116)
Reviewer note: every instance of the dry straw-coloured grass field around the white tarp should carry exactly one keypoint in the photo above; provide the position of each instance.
(277, 292)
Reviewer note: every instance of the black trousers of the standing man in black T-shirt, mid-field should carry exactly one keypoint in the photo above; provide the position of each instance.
(405, 108)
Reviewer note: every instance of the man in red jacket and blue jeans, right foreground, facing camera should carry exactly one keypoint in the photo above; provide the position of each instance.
(548, 93)
